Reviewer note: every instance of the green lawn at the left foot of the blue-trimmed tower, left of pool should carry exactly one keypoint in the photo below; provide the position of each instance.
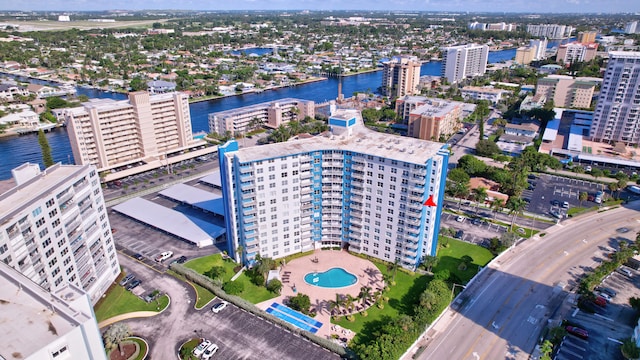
(252, 293)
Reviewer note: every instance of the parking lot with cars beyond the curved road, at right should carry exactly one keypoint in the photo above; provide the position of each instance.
(544, 189)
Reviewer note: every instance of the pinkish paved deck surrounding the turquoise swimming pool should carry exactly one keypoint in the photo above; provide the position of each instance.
(366, 272)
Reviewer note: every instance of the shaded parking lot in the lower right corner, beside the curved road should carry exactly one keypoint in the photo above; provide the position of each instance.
(609, 324)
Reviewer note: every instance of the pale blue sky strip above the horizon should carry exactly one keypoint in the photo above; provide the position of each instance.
(527, 6)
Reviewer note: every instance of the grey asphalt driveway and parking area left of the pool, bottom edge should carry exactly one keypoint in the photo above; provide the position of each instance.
(239, 334)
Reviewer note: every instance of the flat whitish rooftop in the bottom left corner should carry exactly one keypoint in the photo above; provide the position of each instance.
(31, 317)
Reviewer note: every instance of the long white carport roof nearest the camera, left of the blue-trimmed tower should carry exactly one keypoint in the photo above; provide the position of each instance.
(165, 219)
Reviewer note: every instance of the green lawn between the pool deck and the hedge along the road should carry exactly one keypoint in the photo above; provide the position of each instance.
(402, 297)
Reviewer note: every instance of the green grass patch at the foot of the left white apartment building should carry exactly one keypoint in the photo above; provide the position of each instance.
(120, 301)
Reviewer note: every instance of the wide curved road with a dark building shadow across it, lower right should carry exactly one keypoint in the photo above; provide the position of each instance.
(502, 313)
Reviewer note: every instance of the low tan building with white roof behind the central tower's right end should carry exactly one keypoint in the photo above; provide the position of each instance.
(428, 118)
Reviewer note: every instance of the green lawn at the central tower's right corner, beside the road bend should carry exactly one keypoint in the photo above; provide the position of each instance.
(450, 258)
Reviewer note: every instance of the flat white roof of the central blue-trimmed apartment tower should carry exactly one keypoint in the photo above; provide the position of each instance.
(362, 140)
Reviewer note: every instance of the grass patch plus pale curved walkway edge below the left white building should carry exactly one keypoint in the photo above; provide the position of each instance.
(119, 304)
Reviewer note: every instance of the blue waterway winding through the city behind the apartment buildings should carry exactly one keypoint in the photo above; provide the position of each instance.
(14, 151)
